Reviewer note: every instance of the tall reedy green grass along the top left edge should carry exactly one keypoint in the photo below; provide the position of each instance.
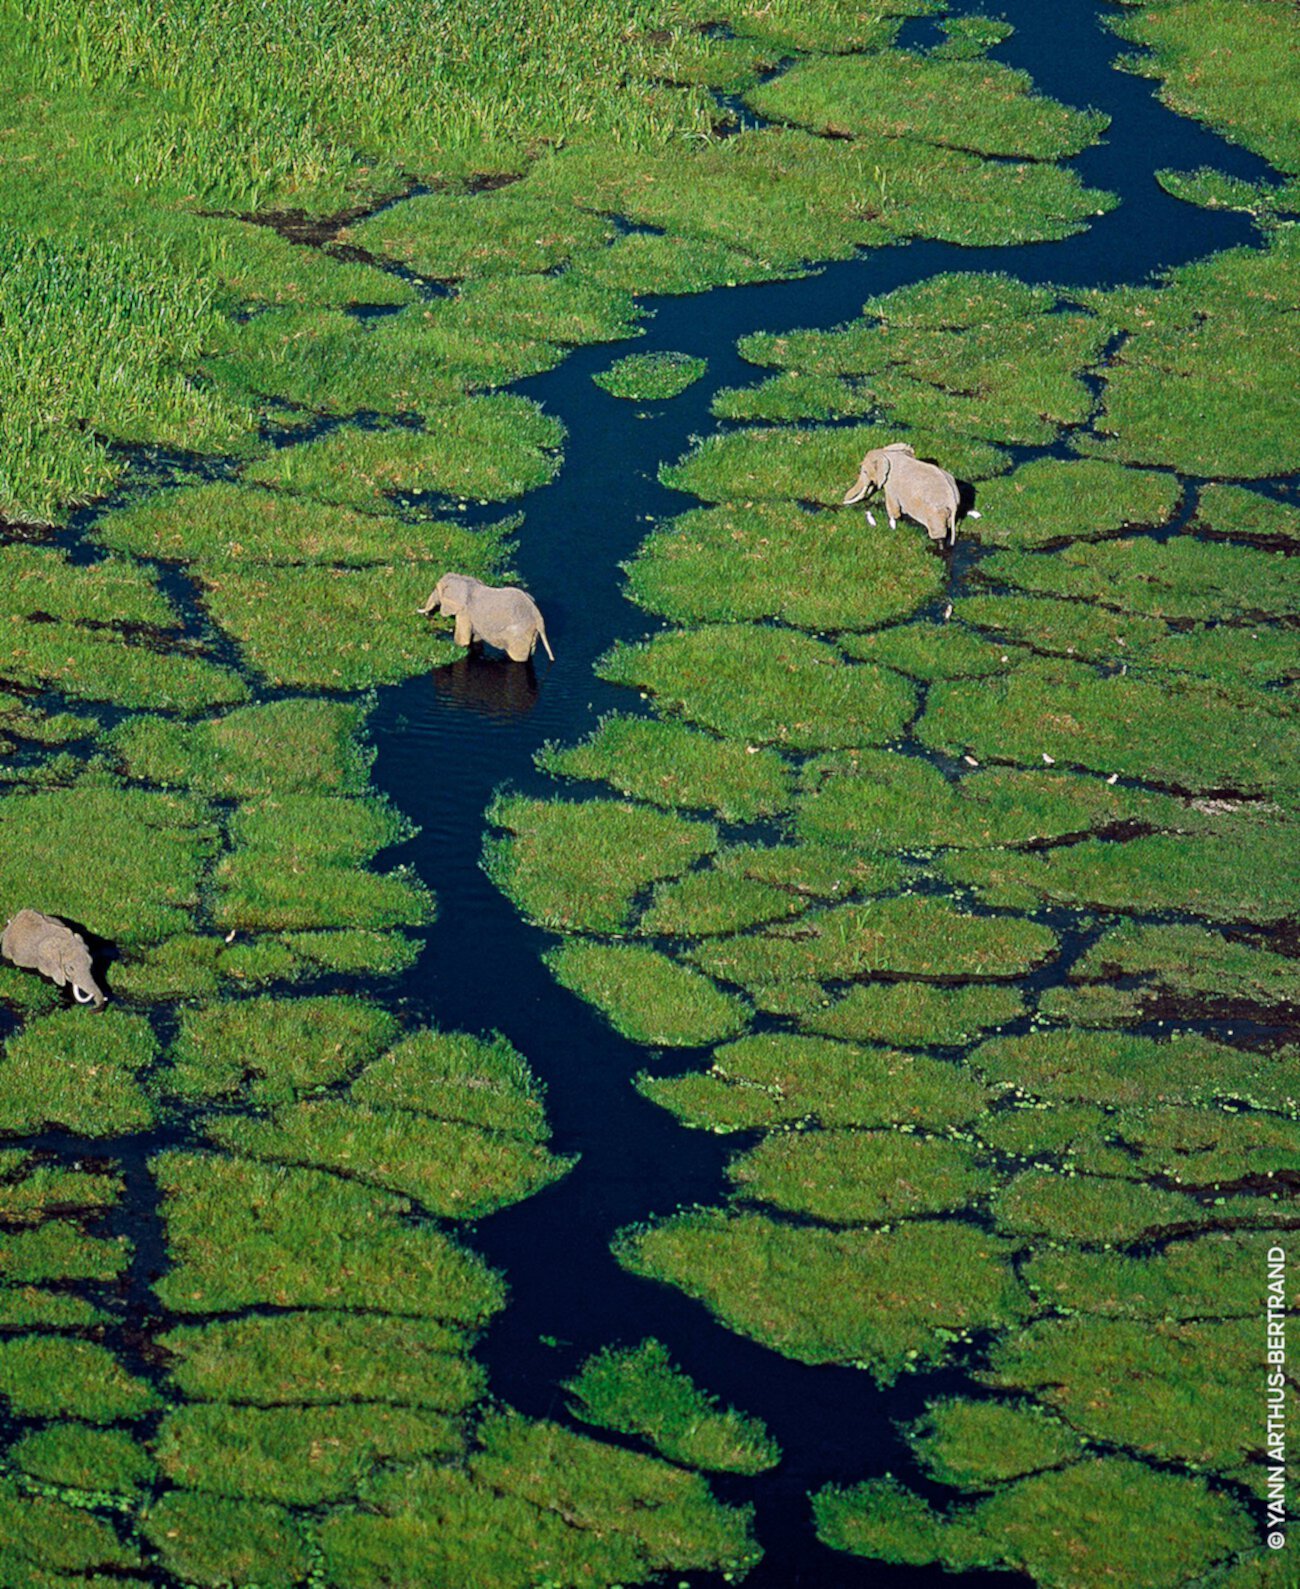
(295, 95)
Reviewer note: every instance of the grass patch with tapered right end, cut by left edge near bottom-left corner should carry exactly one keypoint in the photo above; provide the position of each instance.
(53, 1377)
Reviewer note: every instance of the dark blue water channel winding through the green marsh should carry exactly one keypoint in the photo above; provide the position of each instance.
(446, 743)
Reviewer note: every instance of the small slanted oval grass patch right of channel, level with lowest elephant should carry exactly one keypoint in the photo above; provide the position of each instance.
(646, 996)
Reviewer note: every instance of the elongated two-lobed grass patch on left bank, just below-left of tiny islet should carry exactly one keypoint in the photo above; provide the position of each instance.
(484, 447)
